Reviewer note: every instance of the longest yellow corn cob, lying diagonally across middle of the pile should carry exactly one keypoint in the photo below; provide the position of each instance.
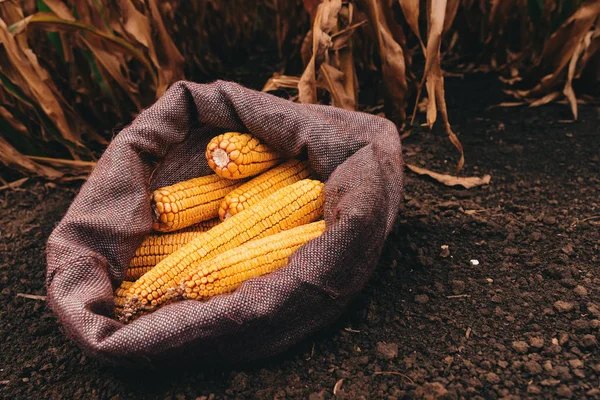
(290, 206)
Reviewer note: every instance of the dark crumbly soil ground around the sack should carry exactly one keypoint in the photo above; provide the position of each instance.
(524, 322)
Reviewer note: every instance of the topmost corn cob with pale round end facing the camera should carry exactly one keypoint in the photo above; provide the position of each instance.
(235, 155)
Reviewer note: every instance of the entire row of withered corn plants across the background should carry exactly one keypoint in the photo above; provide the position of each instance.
(72, 71)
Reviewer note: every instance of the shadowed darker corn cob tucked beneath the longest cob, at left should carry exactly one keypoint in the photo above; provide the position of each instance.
(156, 247)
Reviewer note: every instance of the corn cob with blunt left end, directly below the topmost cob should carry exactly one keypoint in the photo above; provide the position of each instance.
(189, 202)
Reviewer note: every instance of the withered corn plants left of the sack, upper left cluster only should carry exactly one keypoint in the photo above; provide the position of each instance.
(72, 71)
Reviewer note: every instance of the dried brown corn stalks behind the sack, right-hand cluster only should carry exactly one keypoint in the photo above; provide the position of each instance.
(539, 47)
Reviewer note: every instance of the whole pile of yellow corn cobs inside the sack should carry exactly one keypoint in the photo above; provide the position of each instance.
(223, 229)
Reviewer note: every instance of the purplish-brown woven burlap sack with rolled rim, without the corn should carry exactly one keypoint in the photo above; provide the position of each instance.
(359, 156)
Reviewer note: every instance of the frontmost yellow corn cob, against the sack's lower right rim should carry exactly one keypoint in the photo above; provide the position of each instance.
(225, 272)
